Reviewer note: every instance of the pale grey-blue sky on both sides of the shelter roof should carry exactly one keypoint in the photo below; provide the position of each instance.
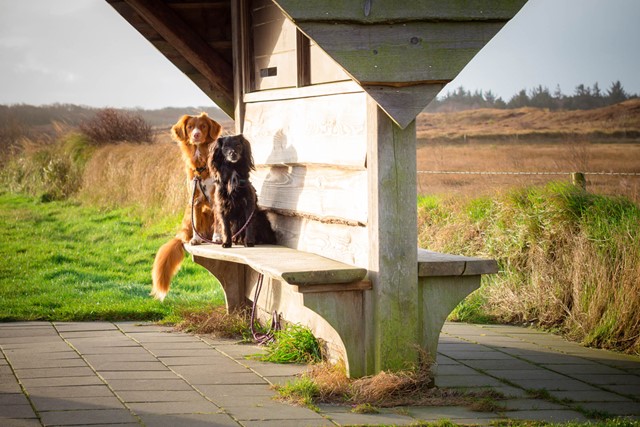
(83, 52)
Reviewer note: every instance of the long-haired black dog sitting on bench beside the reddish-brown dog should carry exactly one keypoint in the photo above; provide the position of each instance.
(235, 200)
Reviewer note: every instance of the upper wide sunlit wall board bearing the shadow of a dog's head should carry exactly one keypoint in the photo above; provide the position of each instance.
(319, 130)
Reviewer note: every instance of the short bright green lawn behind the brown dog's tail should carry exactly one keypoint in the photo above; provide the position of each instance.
(69, 262)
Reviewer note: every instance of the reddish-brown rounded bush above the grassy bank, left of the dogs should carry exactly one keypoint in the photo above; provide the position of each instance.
(110, 125)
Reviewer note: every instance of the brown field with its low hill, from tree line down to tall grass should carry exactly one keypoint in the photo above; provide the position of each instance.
(511, 148)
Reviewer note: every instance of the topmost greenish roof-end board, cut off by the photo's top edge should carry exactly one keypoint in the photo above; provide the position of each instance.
(370, 11)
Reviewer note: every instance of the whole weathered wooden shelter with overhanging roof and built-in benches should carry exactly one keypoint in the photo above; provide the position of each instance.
(327, 93)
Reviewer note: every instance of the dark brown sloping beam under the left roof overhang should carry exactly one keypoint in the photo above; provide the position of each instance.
(194, 49)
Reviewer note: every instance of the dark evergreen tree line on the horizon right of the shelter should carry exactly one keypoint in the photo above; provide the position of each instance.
(583, 98)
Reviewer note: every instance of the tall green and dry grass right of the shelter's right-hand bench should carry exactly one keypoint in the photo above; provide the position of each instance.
(569, 260)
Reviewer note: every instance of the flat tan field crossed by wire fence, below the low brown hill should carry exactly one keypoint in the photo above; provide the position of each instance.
(522, 161)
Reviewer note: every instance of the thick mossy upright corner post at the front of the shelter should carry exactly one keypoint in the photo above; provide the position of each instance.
(392, 305)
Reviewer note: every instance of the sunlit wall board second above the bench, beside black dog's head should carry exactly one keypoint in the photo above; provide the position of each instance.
(319, 192)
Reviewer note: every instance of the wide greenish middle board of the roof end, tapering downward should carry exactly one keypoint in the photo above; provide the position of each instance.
(402, 53)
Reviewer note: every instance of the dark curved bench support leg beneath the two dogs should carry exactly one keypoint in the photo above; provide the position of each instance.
(231, 277)
